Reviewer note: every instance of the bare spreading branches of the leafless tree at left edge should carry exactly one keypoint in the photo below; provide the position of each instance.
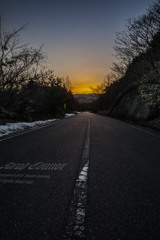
(16, 60)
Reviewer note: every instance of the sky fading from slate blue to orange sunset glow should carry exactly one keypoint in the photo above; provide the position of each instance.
(78, 36)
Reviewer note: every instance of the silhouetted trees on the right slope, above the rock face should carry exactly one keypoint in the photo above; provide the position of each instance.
(137, 51)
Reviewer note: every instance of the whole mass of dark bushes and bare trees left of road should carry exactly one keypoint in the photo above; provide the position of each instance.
(28, 89)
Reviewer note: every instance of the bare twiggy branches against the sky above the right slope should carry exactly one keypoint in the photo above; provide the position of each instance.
(136, 40)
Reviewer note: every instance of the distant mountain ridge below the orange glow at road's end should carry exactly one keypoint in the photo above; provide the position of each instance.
(85, 98)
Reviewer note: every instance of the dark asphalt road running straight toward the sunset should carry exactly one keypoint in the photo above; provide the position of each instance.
(85, 177)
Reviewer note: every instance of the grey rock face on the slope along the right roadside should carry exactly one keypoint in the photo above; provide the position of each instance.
(140, 103)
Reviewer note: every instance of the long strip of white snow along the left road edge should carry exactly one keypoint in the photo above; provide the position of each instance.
(13, 127)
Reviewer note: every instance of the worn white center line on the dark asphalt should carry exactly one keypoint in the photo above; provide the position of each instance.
(75, 228)
